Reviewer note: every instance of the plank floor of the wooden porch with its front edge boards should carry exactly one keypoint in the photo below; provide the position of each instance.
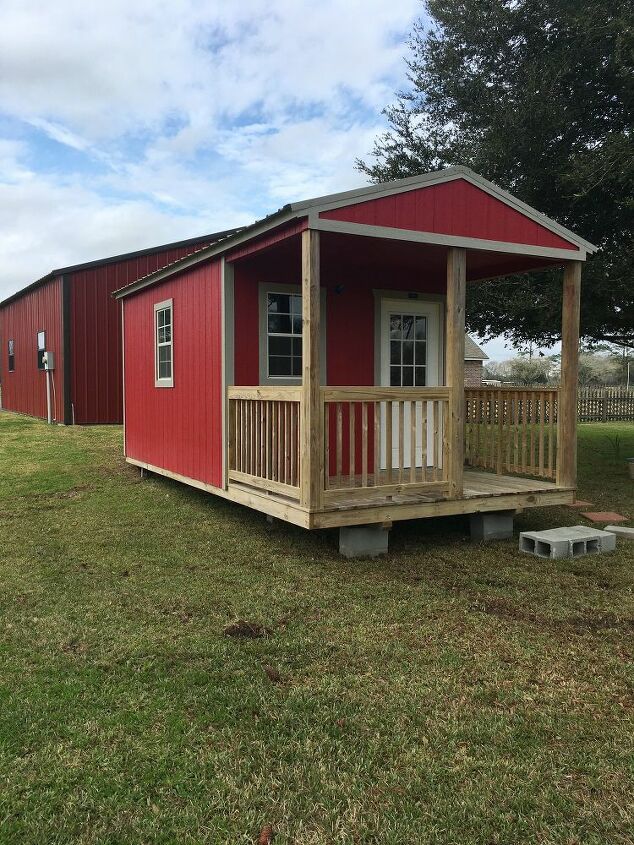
(482, 491)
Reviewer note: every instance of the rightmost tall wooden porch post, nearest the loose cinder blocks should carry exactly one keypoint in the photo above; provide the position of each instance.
(567, 419)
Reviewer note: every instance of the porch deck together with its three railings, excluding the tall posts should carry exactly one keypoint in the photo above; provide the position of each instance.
(510, 453)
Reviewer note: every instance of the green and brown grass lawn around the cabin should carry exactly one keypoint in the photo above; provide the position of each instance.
(450, 693)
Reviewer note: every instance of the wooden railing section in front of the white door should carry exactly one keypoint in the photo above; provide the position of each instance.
(381, 441)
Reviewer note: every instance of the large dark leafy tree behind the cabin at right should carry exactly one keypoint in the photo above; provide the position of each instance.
(537, 96)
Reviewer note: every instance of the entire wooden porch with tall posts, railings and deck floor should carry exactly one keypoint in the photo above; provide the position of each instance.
(325, 456)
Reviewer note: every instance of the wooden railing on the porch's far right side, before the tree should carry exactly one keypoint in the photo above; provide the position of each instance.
(512, 430)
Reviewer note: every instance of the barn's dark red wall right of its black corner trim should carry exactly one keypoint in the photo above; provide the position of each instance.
(96, 333)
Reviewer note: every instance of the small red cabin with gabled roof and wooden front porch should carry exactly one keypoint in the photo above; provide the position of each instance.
(311, 366)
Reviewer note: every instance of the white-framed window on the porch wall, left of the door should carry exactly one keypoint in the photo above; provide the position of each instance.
(284, 335)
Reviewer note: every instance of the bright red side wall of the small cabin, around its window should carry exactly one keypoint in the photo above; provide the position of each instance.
(178, 428)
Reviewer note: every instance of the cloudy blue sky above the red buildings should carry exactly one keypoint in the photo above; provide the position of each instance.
(128, 124)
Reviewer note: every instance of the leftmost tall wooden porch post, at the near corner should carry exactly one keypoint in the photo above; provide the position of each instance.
(311, 425)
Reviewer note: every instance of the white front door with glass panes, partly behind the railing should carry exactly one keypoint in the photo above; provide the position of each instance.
(410, 357)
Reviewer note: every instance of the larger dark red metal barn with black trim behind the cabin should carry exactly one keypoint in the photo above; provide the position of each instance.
(70, 312)
